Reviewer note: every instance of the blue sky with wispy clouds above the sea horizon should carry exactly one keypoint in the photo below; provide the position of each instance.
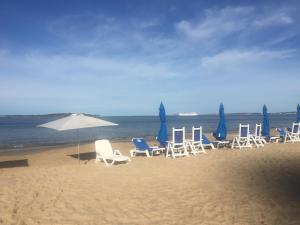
(123, 57)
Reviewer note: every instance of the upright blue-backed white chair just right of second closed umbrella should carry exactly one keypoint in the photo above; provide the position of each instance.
(243, 140)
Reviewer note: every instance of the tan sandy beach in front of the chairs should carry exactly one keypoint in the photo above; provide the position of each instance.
(258, 186)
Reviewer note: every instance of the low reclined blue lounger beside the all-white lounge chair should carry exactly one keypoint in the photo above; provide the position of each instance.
(142, 147)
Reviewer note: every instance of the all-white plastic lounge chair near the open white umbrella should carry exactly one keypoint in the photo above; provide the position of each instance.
(104, 152)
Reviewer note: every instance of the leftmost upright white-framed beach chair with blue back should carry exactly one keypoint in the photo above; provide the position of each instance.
(177, 147)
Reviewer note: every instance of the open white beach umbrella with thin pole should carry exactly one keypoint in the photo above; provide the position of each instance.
(75, 122)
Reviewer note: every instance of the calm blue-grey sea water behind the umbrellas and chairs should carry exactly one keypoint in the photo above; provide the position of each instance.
(19, 132)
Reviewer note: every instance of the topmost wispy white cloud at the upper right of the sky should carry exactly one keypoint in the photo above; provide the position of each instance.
(217, 24)
